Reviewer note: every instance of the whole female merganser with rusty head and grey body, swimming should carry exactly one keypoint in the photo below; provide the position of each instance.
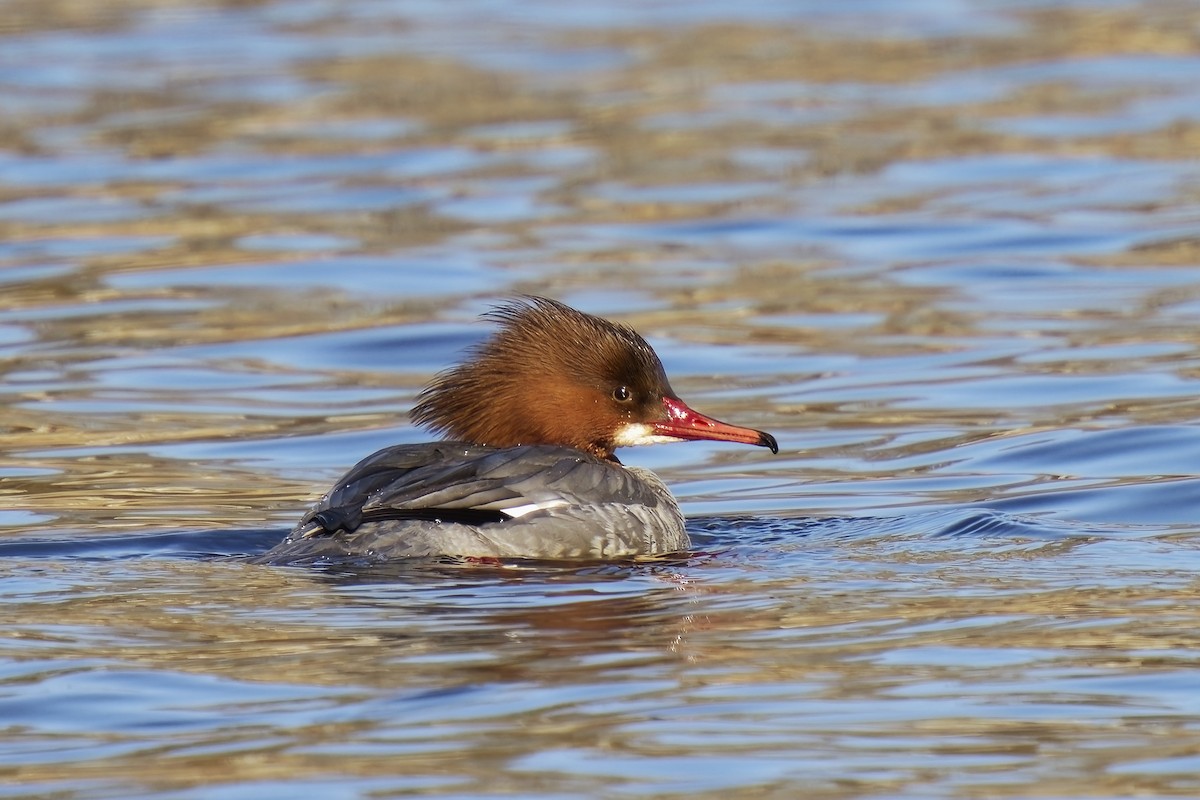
(529, 470)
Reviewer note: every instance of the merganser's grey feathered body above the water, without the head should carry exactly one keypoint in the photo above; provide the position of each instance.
(460, 500)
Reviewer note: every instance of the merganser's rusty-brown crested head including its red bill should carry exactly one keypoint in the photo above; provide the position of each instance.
(555, 376)
